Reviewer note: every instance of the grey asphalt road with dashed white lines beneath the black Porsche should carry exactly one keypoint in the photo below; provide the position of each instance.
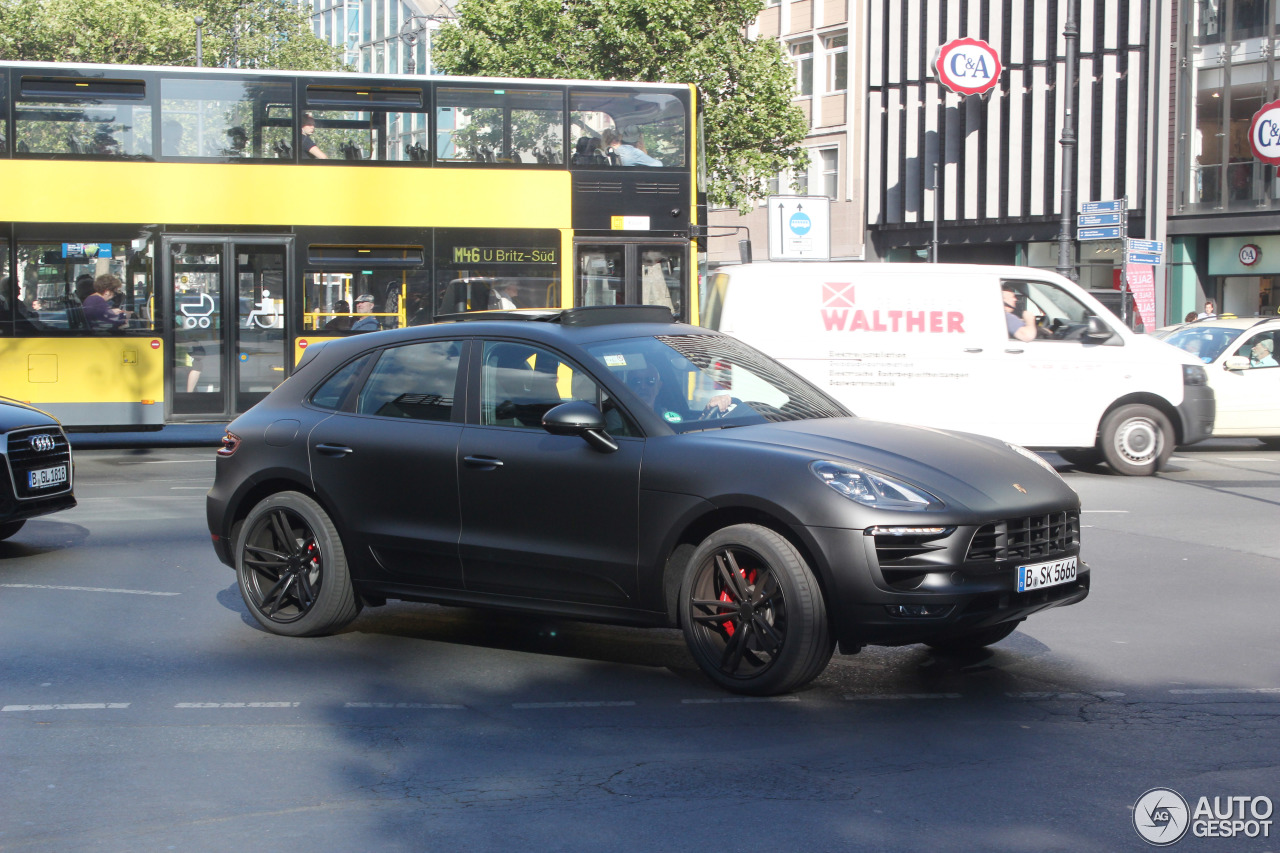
(143, 710)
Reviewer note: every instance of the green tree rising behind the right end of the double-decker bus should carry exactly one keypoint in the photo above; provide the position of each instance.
(753, 130)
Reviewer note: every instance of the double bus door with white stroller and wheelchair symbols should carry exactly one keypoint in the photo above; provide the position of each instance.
(227, 318)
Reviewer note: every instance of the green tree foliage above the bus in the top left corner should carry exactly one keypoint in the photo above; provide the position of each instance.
(246, 34)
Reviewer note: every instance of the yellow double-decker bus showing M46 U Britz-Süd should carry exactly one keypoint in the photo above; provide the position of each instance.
(175, 238)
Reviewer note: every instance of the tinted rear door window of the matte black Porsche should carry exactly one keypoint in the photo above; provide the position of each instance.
(415, 382)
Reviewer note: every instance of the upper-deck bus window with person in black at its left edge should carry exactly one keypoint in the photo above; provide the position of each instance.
(369, 122)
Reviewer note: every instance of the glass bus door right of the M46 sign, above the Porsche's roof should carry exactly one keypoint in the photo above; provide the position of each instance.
(616, 272)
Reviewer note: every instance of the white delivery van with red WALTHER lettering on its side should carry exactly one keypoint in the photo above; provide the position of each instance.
(930, 345)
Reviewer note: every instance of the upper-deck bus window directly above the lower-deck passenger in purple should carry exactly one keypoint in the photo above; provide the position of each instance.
(98, 118)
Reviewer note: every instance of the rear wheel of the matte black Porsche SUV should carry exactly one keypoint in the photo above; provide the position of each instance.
(292, 569)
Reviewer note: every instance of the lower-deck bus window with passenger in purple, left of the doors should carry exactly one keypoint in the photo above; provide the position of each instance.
(58, 288)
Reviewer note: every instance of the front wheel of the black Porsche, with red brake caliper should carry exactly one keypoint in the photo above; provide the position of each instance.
(752, 613)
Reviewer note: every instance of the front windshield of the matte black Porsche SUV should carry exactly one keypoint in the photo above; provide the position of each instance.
(708, 381)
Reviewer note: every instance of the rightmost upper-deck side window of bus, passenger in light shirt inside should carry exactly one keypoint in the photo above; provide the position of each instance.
(638, 129)
